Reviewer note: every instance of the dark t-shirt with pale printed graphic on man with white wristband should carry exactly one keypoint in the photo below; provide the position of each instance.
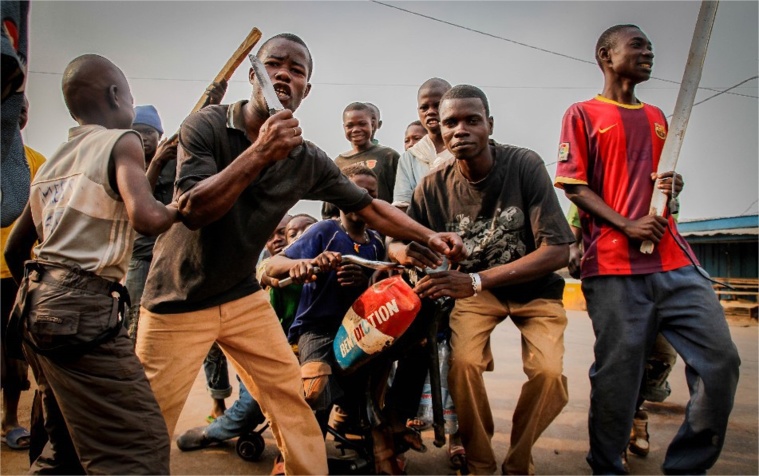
(505, 216)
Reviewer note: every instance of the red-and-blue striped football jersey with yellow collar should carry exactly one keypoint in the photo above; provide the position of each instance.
(613, 148)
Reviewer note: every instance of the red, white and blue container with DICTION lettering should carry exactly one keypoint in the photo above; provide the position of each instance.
(378, 317)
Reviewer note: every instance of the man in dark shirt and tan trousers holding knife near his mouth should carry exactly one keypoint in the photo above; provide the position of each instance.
(239, 171)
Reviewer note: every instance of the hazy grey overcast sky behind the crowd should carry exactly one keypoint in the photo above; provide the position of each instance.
(532, 59)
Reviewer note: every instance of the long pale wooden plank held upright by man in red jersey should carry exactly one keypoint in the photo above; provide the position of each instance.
(685, 98)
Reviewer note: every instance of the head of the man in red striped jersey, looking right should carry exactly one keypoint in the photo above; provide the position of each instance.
(632, 55)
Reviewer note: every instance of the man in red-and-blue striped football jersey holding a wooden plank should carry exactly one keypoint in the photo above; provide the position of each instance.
(608, 157)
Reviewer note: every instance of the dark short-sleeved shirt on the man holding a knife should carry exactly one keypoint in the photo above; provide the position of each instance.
(195, 270)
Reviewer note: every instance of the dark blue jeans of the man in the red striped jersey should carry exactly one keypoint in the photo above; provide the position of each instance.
(627, 312)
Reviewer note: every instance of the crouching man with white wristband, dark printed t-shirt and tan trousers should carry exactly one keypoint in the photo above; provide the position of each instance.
(500, 199)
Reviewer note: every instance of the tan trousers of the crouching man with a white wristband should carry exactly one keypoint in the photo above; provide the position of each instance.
(542, 323)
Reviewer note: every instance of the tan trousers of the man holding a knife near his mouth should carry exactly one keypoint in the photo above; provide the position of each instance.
(172, 348)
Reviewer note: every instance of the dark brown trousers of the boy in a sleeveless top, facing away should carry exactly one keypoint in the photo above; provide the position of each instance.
(100, 414)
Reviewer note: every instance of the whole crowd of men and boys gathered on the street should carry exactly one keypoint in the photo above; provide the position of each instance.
(110, 404)
